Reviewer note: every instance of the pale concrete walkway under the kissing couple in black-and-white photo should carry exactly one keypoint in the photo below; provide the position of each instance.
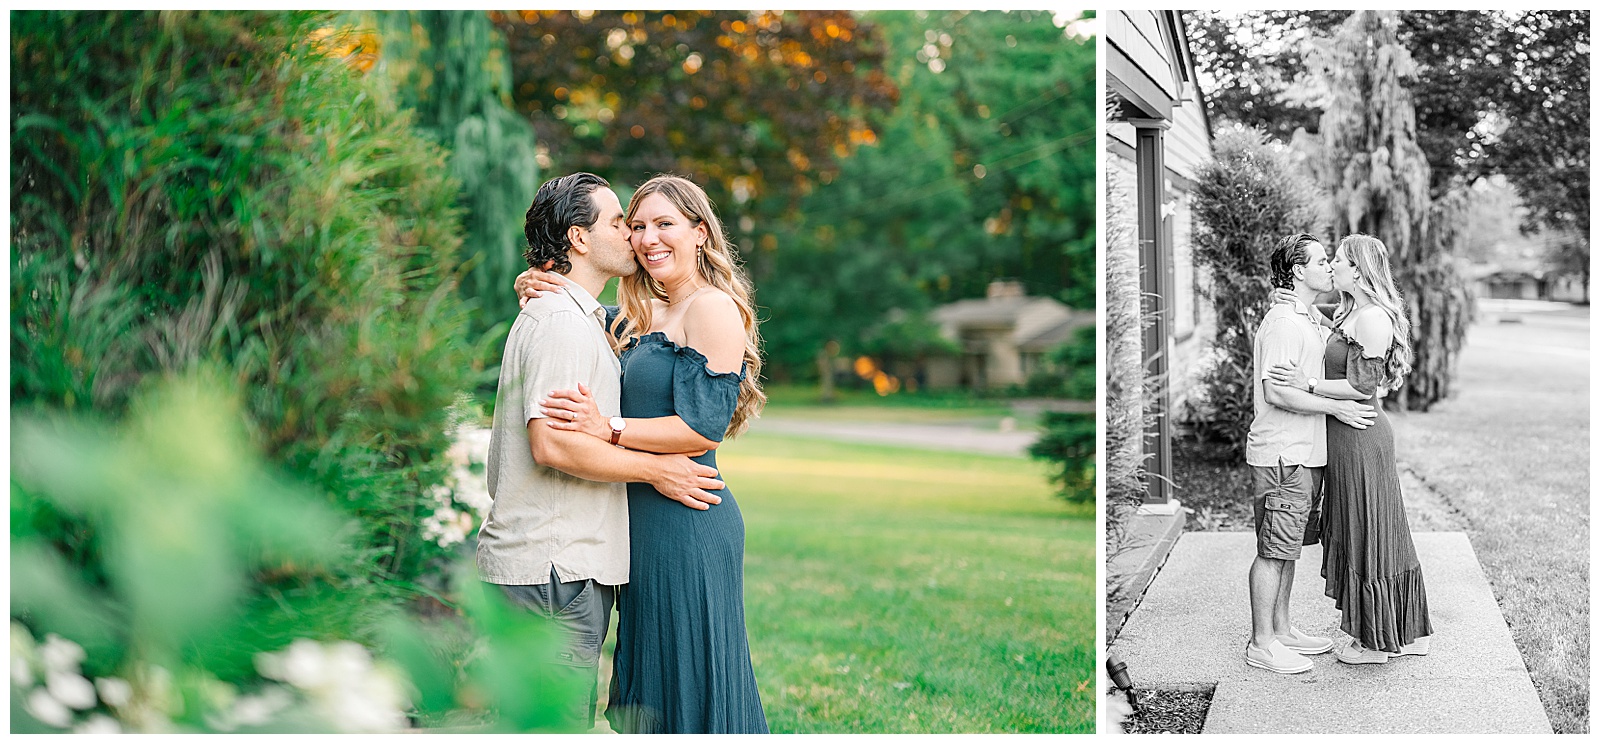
(1191, 630)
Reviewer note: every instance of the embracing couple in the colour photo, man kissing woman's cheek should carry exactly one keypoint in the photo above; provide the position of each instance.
(593, 398)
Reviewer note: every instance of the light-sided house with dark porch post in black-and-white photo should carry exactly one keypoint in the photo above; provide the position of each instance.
(1159, 135)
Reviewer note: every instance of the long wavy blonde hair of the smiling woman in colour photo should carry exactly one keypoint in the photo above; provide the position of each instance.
(719, 266)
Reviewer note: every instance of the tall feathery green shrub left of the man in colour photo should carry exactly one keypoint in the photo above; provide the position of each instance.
(223, 188)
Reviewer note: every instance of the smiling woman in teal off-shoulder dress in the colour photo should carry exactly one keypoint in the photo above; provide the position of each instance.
(690, 356)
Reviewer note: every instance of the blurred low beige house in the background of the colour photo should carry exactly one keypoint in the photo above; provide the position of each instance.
(1004, 337)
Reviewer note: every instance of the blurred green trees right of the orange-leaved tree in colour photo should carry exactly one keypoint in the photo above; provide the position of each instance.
(983, 170)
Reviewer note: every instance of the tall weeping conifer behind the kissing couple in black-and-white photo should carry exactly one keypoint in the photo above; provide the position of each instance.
(1369, 161)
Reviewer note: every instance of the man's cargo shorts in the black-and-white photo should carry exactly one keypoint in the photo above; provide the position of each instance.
(1289, 510)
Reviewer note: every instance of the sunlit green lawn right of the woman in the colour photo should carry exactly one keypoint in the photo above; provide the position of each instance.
(905, 591)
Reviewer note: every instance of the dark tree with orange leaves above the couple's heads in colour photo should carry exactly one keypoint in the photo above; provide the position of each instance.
(746, 103)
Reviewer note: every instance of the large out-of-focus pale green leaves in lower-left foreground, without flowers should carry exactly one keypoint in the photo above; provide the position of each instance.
(161, 542)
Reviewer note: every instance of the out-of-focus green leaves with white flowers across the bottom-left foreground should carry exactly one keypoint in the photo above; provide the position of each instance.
(193, 556)
